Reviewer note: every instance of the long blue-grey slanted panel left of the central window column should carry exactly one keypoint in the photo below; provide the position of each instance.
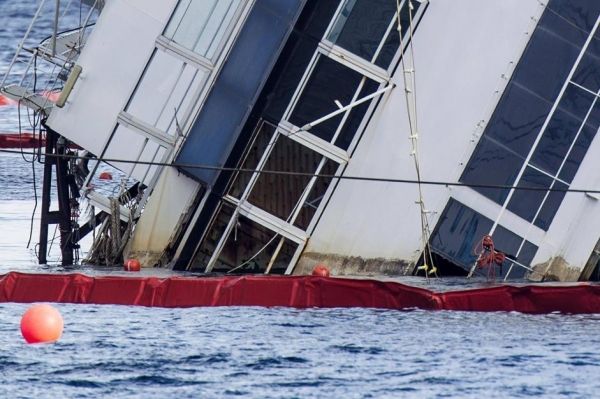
(237, 86)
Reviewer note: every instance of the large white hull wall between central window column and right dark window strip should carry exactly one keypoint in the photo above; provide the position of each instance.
(462, 49)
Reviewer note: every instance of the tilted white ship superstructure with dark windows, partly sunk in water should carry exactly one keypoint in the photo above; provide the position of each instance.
(374, 136)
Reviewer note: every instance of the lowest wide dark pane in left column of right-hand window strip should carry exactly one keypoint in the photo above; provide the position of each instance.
(492, 164)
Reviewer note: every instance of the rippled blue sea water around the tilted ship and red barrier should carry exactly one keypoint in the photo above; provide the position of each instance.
(134, 352)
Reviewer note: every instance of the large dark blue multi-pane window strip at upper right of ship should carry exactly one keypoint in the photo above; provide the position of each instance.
(550, 102)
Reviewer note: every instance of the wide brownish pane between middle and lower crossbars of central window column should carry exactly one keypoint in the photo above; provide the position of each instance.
(278, 194)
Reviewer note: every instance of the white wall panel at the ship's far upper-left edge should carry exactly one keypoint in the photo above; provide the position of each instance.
(113, 60)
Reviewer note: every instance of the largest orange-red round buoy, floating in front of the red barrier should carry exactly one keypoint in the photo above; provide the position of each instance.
(41, 324)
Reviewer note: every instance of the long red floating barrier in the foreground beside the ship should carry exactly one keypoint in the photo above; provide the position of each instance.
(290, 291)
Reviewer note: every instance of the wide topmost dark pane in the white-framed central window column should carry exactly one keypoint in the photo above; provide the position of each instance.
(362, 24)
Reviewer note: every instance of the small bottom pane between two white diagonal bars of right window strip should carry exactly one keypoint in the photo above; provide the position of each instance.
(526, 203)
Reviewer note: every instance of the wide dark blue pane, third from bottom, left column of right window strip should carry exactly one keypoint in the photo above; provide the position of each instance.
(549, 57)
